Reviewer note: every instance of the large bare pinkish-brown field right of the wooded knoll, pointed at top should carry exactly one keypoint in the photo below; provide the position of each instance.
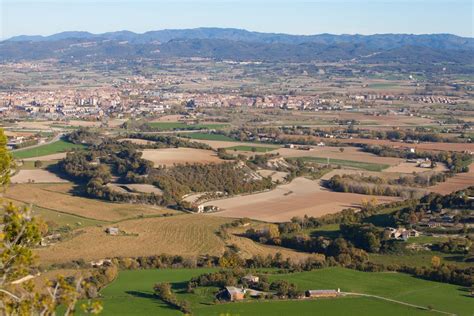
(300, 197)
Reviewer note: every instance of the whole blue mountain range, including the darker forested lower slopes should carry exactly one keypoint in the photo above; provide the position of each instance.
(237, 44)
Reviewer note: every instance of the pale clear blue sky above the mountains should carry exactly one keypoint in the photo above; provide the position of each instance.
(46, 17)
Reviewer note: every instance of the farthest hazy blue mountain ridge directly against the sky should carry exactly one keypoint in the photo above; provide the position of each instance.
(386, 41)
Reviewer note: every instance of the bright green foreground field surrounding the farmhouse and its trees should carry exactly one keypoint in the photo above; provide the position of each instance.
(131, 294)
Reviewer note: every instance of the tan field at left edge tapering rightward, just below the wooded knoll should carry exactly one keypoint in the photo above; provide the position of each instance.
(56, 197)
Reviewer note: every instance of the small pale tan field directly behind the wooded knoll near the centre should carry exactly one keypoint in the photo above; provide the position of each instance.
(171, 156)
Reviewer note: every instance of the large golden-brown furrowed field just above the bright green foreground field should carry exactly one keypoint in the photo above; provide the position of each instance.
(178, 235)
